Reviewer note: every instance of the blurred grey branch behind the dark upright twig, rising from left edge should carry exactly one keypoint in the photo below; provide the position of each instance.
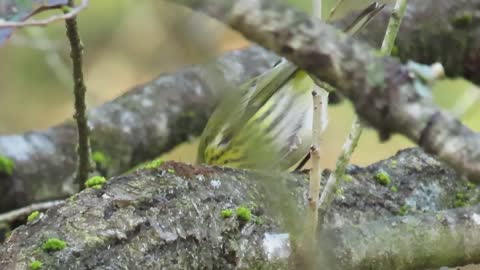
(144, 123)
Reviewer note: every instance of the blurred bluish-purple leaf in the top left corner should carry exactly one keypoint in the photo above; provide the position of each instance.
(20, 10)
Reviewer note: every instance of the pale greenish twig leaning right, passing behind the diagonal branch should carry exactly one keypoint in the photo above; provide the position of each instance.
(357, 127)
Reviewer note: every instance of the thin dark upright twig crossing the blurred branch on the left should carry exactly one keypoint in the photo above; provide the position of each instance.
(79, 90)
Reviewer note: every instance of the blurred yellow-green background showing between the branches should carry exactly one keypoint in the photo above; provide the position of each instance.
(131, 42)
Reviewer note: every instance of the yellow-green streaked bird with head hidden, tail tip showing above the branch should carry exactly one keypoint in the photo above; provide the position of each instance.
(266, 123)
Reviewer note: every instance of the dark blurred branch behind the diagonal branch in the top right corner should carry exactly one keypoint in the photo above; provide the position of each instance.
(434, 31)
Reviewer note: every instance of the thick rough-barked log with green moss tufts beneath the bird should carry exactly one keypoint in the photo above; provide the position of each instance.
(169, 218)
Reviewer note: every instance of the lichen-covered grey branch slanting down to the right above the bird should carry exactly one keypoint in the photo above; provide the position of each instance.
(382, 90)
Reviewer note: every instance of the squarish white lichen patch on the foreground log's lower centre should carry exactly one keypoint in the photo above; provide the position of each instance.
(277, 246)
